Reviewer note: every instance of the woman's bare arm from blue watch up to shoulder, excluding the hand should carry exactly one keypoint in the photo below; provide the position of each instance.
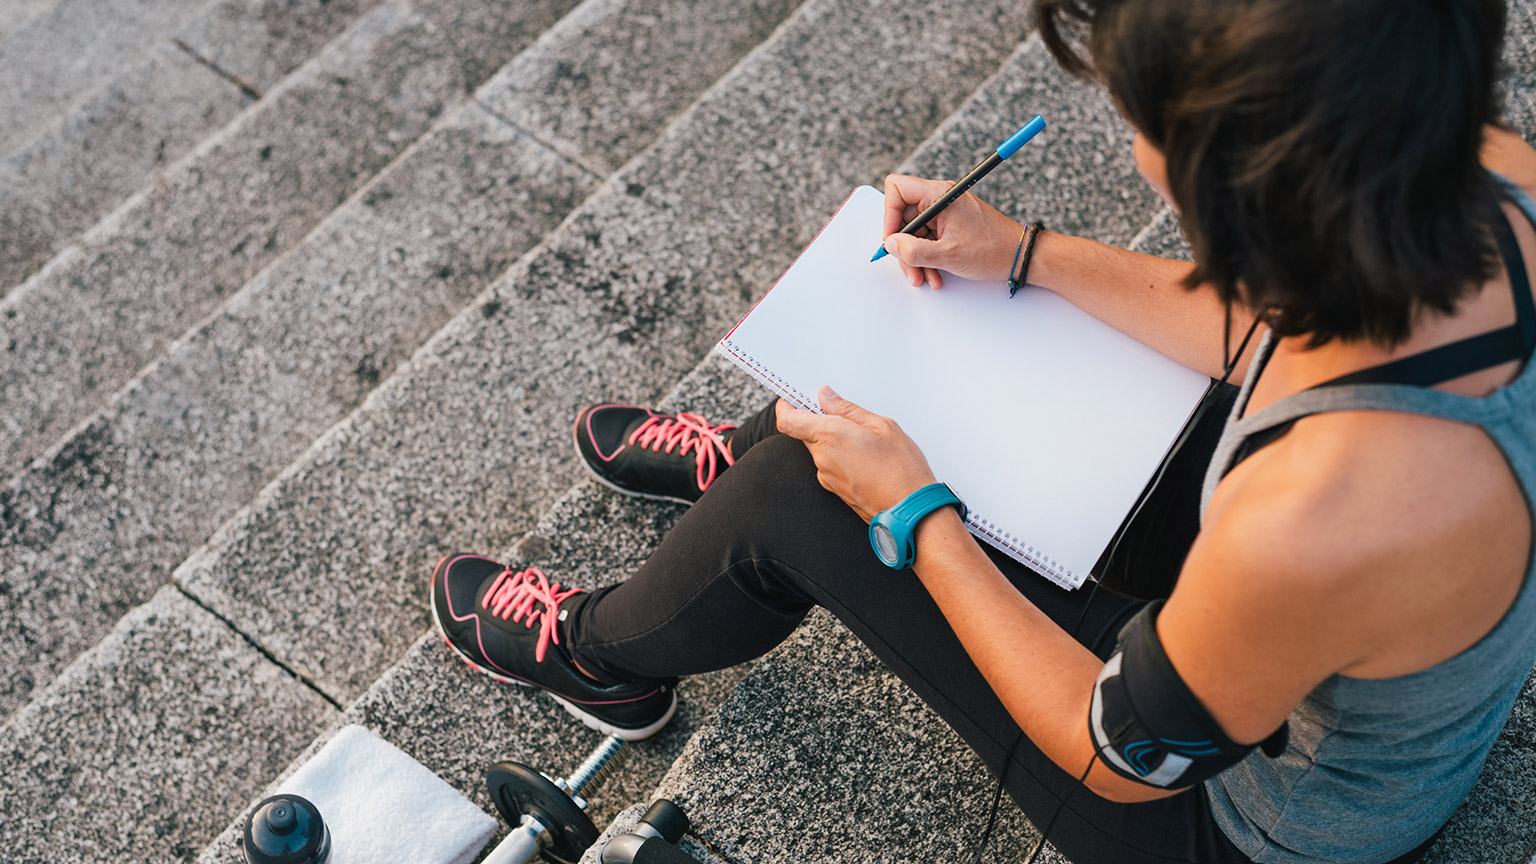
(1250, 650)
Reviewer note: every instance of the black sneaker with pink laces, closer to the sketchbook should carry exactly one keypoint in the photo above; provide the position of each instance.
(672, 457)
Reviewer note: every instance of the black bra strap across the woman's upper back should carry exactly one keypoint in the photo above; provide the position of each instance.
(1448, 362)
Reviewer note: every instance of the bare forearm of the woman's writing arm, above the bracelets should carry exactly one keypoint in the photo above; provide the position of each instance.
(1142, 296)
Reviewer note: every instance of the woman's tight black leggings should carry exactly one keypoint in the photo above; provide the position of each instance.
(767, 543)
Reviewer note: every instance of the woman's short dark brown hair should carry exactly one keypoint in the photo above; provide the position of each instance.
(1325, 155)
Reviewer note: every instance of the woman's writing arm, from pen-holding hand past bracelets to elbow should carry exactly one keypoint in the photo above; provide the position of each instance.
(1142, 296)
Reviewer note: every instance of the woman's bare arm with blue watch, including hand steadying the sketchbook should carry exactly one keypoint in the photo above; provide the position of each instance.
(1222, 634)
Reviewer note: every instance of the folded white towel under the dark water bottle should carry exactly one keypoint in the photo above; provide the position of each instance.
(385, 806)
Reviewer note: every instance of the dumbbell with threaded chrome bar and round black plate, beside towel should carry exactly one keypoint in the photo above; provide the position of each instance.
(549, 816)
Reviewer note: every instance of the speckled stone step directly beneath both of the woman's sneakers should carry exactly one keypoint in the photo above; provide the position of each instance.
(458, 723)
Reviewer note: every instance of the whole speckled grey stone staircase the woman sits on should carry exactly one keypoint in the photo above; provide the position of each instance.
(302, 294)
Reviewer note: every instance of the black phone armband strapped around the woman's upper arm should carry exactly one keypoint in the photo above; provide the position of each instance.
(1148, 726)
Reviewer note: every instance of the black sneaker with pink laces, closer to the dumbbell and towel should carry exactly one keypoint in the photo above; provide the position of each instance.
(488, 616)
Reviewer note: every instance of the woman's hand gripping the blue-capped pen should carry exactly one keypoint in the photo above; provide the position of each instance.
(968, 239)
